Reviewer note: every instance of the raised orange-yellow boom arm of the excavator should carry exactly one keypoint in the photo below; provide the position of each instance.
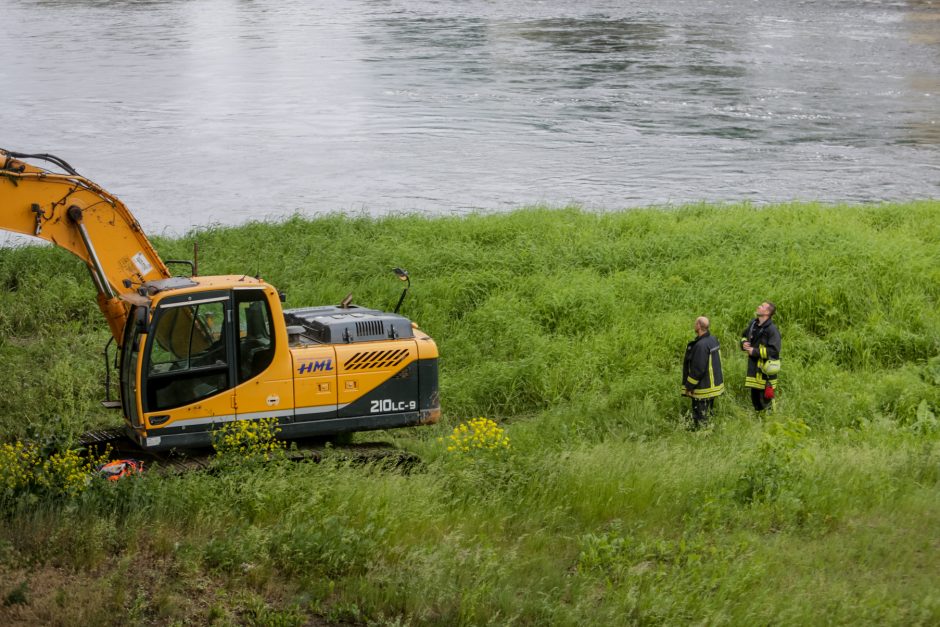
(70, 211)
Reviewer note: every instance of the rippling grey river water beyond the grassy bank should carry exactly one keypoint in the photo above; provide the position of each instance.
(200, 112)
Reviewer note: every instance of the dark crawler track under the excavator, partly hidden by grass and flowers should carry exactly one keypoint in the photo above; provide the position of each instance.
(119, 446)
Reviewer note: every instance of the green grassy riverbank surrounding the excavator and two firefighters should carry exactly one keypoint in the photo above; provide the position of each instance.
(568, 329)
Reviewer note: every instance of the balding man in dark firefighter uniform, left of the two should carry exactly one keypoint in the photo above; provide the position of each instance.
(702, 380)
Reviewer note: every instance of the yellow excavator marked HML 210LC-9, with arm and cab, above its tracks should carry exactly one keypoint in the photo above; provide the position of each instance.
(197, 352)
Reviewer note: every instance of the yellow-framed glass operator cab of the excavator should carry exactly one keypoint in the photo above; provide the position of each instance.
(188, 352)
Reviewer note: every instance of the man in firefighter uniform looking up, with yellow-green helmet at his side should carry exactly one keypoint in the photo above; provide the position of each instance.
(761, 341)
